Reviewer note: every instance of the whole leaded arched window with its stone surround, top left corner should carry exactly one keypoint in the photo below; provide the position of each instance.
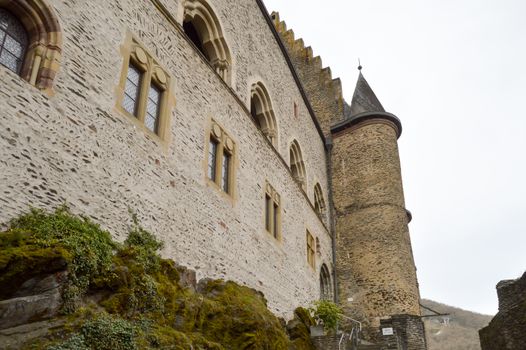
(31, 41)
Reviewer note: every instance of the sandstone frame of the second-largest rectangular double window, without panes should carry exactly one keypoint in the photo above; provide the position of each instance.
(225, 145)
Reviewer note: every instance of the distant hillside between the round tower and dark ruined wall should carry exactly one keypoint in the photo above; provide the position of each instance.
(456, 331)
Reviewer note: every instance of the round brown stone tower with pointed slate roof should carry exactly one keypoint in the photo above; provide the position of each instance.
(376, 273)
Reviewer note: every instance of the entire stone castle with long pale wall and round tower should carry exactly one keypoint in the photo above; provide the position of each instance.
(225, 135)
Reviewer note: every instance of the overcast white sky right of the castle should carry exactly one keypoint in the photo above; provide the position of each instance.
(454, 72)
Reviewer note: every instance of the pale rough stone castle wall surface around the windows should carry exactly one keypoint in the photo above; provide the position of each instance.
(76, 147)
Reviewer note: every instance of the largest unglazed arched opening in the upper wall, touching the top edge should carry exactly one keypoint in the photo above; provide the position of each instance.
(202, 27)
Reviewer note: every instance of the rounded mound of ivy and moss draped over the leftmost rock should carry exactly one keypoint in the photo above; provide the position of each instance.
(39, 243)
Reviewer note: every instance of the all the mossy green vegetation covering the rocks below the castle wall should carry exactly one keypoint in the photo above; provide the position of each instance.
(125, 296)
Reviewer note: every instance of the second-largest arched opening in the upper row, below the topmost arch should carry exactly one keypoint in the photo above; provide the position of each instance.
(262, 112)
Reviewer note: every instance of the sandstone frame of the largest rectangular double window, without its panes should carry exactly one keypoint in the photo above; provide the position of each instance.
(135, 54)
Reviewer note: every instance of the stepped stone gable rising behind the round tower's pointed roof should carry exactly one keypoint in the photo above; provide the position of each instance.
(323, 91)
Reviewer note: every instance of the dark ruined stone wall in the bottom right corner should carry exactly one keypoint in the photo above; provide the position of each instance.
(507, 330)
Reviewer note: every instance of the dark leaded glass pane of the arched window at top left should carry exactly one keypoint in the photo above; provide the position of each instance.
(13, 41)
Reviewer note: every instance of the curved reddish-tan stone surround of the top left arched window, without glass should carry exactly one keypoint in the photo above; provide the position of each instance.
(42, 58)
